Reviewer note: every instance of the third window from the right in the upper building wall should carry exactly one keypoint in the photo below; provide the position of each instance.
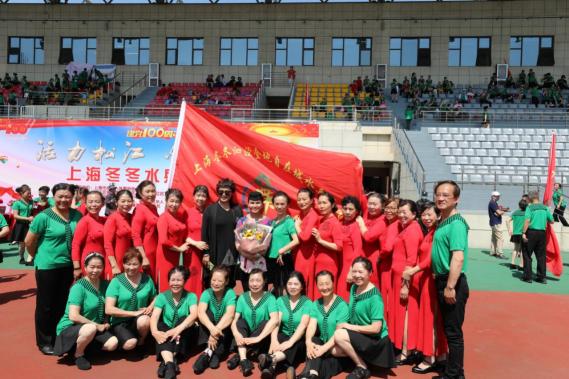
(409, 52)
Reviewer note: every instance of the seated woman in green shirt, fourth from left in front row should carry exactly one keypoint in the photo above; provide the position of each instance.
(216, 311)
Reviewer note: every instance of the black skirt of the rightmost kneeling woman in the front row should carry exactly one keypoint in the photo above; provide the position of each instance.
(376, 352)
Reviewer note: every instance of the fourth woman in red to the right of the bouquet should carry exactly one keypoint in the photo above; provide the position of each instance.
(372, 226)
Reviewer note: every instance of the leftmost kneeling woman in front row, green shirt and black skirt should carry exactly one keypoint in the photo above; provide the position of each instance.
(84, 319)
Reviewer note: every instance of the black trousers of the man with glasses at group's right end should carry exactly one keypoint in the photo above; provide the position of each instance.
(453, 318)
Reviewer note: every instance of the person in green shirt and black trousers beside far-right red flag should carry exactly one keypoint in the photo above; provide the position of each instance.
(537, 218)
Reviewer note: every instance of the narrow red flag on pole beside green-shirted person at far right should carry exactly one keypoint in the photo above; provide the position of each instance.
(553, 253)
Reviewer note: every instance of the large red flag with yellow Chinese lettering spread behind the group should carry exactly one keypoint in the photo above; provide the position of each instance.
(208, 149)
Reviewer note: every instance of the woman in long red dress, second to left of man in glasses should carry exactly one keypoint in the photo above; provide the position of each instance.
(404, 296)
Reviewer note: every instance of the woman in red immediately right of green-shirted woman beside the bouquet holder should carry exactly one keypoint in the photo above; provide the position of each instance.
(304, 223)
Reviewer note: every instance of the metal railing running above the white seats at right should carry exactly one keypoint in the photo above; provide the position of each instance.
(511, 118)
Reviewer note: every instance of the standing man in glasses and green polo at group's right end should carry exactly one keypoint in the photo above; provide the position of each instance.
(449, 253)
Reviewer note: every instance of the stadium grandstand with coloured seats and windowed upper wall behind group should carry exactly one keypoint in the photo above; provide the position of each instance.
(406, 86)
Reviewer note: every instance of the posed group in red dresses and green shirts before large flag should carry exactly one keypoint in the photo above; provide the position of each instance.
(378, 288)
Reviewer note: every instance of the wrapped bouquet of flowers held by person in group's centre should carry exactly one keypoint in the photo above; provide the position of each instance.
(252, 241)
